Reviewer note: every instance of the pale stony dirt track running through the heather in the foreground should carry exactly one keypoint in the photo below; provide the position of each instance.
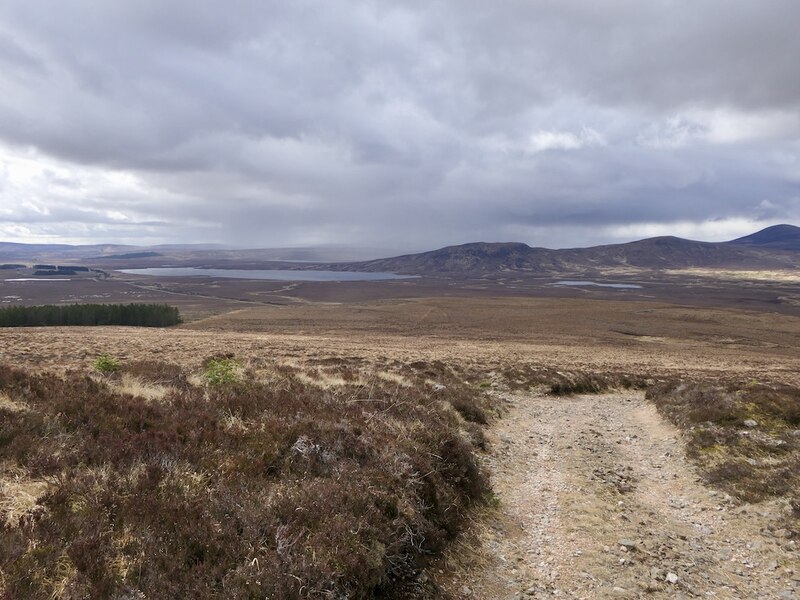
(596, 500)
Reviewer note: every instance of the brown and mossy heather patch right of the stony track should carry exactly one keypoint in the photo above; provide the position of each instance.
(751, 463)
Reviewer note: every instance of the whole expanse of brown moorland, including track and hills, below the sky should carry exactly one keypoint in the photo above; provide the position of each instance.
(478, 431)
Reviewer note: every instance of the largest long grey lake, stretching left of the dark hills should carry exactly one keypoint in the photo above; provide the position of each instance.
(275, 275)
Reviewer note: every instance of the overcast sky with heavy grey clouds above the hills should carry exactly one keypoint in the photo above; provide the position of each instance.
(407, 125)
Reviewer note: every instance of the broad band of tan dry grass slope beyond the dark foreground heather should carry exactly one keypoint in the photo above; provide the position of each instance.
(480, 335)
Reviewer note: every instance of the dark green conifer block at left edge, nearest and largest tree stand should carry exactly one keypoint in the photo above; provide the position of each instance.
(139, 315)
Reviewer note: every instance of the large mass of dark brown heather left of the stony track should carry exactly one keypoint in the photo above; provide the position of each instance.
(250, 490)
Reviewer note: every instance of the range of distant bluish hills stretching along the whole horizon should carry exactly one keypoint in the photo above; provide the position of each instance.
(775, 247)
